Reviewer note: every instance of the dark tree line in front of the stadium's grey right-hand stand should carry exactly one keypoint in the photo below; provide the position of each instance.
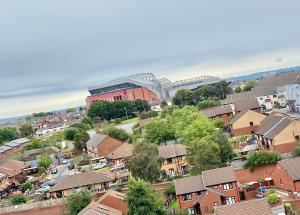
(208, 92)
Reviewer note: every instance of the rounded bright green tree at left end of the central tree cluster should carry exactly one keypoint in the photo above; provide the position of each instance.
(159, 131)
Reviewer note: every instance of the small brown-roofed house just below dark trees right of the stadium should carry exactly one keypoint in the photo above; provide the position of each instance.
(224, 112)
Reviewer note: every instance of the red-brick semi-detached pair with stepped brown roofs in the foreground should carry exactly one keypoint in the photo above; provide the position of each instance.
(200, 194)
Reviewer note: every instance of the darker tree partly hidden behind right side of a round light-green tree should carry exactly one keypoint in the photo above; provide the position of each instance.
(226, 149)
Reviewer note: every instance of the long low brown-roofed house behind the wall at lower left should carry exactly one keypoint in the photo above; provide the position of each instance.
(95, 182)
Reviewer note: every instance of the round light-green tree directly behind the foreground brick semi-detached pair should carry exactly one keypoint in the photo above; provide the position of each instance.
(203, 154)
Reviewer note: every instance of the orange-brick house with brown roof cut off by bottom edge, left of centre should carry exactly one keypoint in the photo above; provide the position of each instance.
(110, 203)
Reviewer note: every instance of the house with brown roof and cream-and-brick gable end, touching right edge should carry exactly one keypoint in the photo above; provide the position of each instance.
(278, 133)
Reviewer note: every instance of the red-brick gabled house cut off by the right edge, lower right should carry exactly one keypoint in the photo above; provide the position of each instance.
(286, 176)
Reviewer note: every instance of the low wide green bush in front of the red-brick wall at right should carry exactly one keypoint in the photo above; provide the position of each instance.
(261, 158)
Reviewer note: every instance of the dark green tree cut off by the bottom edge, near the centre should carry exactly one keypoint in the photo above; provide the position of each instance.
(142, 199)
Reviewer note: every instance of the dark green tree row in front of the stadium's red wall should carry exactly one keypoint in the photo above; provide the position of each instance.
(105, 110)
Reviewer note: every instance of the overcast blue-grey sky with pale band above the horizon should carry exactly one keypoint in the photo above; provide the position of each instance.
(51, 51)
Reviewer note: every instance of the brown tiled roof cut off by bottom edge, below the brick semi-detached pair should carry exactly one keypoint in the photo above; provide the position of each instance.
(251, 207)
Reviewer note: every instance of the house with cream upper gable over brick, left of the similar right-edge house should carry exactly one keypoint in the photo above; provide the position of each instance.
(245, 123)
